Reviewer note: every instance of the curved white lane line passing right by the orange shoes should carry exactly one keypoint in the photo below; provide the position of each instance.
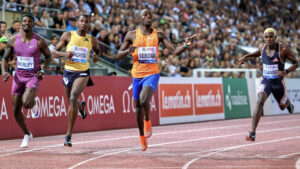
(182, 141)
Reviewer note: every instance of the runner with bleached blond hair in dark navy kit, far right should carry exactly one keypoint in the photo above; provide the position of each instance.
(274, 56)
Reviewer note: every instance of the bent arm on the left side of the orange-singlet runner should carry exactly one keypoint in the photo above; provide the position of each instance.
(125, 48)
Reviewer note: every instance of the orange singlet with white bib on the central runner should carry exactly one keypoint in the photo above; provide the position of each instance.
(145, 55)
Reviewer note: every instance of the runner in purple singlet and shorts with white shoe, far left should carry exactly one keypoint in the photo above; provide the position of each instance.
(26, 48)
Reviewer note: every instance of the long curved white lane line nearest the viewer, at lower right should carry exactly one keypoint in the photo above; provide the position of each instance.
(235, 147)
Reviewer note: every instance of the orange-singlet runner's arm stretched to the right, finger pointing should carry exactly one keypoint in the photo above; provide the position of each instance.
(164, 39)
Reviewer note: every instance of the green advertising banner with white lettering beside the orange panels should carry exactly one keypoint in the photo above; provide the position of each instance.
(236, 98)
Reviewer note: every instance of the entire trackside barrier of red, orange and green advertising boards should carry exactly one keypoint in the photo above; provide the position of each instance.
(110, 104)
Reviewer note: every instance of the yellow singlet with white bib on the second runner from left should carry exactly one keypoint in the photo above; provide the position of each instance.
(81, 46)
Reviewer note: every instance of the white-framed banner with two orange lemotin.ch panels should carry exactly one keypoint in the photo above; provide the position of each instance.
(190, 99)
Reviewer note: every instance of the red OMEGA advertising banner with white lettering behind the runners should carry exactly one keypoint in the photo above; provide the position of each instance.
(109, 105)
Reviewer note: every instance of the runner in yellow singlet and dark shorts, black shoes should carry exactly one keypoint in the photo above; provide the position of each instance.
(77, 74)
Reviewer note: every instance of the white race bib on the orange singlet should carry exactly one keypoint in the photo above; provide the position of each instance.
(147, 54)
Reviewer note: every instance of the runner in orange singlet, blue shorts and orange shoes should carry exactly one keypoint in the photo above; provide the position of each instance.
(142, 44)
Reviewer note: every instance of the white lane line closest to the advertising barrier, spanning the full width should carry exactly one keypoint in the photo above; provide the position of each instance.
(128, 137)
